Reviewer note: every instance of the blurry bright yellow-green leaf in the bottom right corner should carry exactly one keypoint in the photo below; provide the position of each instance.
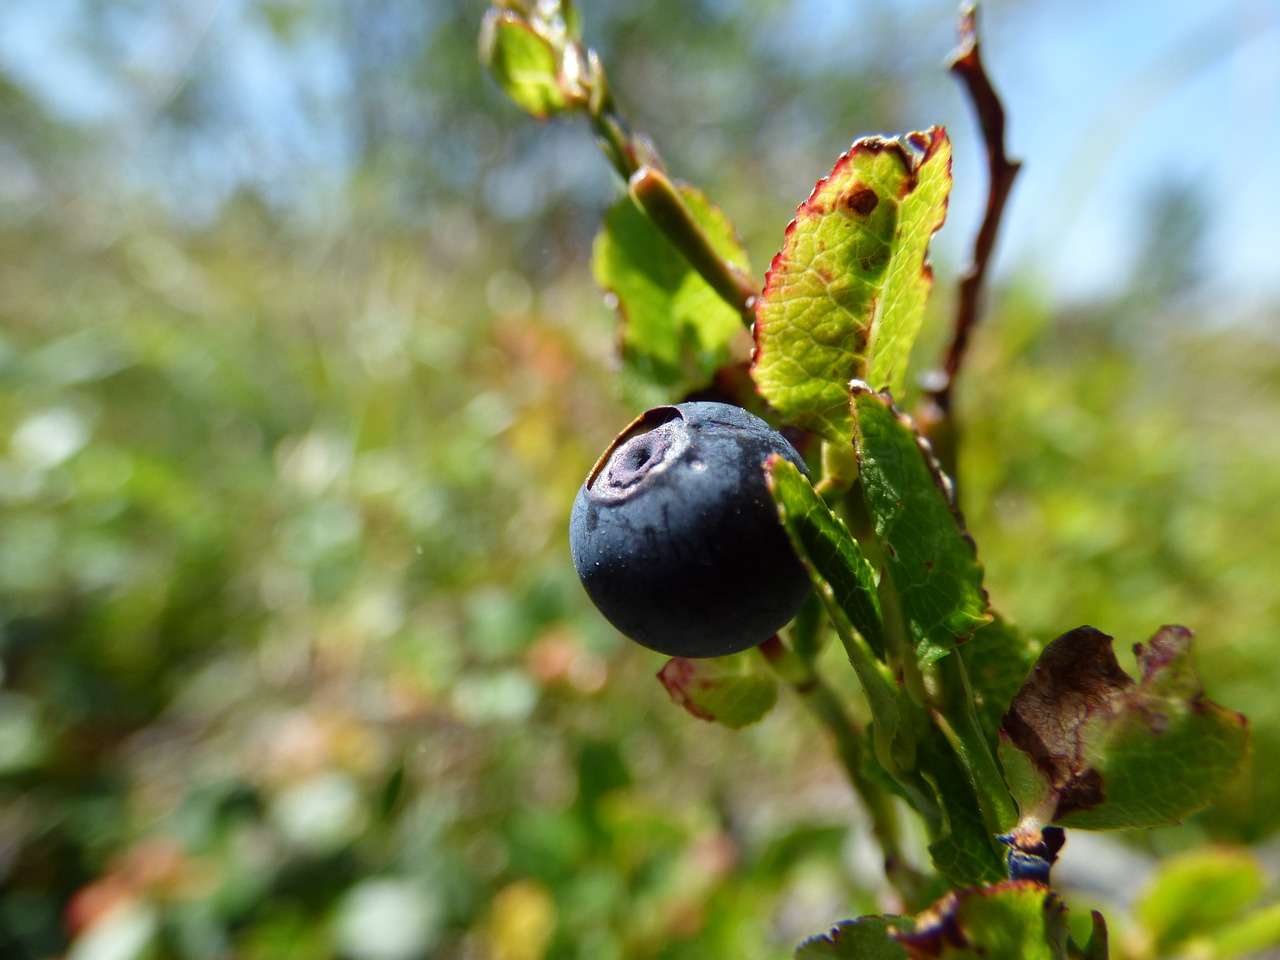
(1199, 895)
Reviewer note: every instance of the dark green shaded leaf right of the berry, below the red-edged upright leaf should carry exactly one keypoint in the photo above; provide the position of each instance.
(930, 560)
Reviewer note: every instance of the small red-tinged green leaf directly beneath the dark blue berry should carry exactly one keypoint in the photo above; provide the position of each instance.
(728, 691)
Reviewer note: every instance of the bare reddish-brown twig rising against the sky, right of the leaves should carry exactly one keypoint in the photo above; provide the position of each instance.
(968, 67)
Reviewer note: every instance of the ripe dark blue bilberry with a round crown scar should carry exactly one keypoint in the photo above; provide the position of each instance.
(675, 536)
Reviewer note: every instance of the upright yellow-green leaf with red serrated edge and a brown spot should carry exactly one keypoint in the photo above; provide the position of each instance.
(845, 296)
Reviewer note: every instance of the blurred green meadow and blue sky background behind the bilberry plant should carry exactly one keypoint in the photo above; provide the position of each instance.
(301, 365)
